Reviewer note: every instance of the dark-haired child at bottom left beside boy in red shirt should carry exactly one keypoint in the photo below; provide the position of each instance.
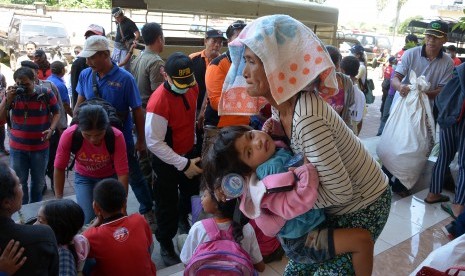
(66, 218)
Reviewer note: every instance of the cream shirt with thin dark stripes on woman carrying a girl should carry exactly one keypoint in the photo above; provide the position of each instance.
(350, 178)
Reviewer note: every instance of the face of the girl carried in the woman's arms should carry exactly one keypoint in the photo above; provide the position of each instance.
(255, 147)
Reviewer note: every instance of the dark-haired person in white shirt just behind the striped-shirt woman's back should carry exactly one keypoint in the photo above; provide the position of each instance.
(350, 66)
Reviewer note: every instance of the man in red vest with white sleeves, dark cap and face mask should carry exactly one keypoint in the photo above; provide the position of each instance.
(169, 130)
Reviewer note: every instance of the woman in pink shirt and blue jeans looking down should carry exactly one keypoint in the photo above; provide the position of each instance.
(94, 161)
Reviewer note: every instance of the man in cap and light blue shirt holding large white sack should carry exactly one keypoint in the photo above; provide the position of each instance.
(428, 60)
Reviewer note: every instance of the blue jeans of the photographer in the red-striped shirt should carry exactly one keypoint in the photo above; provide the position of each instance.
(34, 162)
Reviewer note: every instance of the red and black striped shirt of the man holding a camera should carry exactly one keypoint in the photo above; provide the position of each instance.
(30, 116)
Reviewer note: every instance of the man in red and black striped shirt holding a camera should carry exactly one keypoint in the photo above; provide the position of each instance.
(27, 108)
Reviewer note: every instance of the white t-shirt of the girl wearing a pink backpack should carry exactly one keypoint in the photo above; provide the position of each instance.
(198, 235)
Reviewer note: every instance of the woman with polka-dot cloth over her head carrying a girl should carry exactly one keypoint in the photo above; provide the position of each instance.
(280, 59)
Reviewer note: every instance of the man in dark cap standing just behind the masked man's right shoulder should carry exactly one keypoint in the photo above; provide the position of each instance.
(201, 60)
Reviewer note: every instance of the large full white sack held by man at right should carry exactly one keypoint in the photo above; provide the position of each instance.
(408, 136)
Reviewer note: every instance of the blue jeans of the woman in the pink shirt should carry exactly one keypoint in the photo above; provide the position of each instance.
(84, 189)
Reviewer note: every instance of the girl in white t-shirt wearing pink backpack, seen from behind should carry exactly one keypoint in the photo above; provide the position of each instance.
(223, 215)
